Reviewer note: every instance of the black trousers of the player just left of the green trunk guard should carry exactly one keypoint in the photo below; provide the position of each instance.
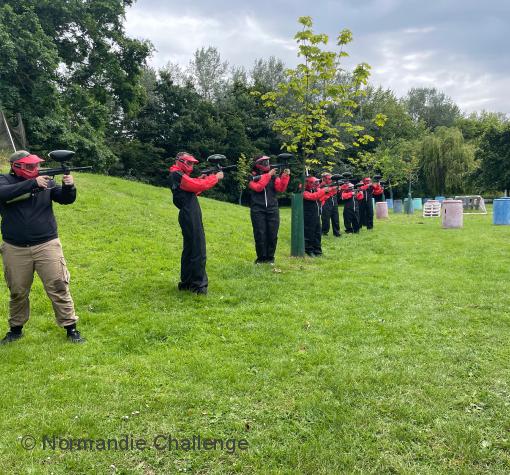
(266, 223)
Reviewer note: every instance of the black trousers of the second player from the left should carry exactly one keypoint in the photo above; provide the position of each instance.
(193, 258)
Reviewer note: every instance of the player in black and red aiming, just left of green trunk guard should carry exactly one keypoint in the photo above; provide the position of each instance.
(265, 215)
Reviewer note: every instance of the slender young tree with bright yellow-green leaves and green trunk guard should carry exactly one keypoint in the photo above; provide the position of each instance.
(302, 103)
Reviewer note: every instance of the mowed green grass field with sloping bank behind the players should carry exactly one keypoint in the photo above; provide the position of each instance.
(390, 354)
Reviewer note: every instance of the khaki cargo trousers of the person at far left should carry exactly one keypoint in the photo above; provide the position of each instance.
(48, 261)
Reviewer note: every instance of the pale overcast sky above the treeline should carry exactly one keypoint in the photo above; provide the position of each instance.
(457, 46)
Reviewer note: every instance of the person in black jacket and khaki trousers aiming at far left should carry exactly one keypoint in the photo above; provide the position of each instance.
(31, 243)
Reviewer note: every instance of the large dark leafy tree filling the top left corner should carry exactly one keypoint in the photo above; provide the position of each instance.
(72, 72)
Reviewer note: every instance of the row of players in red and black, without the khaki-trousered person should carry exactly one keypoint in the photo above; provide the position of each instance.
(320, 199)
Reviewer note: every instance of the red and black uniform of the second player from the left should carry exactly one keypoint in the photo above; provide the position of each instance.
(193, 258)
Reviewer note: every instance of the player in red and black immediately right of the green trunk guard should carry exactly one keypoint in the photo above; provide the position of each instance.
(312, 216)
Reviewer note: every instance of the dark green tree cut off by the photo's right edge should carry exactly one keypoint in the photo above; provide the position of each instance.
(494, 157)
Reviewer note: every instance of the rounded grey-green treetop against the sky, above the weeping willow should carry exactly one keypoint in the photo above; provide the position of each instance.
(432, 107)
